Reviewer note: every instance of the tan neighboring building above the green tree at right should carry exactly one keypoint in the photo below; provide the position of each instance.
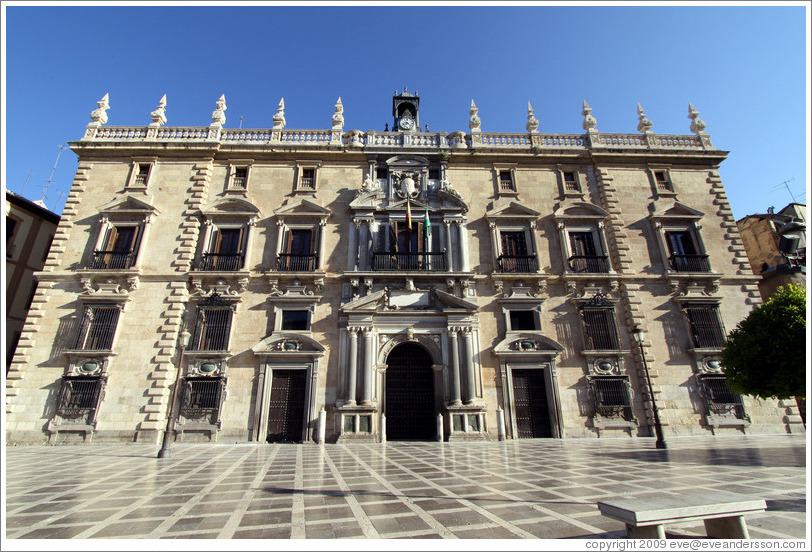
(776, 246)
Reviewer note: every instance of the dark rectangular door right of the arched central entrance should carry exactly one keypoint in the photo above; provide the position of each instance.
(530, 404)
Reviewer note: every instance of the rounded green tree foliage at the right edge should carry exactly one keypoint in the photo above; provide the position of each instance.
(765, 355)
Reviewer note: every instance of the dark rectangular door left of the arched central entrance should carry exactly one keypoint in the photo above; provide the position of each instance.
(286, 414)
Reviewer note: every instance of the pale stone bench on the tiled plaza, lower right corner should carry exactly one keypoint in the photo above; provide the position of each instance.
(646, 516)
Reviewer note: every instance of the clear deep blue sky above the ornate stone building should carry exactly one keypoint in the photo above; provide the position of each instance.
(743, 67)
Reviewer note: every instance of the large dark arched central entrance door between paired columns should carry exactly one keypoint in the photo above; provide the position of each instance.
(410, 412)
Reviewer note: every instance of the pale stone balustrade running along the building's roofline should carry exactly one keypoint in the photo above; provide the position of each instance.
(418, 140)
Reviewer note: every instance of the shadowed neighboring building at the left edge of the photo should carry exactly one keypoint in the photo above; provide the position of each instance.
(30, 227)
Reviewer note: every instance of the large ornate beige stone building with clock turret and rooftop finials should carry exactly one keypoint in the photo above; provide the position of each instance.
(399, 284)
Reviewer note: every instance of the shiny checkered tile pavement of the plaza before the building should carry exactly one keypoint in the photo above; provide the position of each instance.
(513, 489)
